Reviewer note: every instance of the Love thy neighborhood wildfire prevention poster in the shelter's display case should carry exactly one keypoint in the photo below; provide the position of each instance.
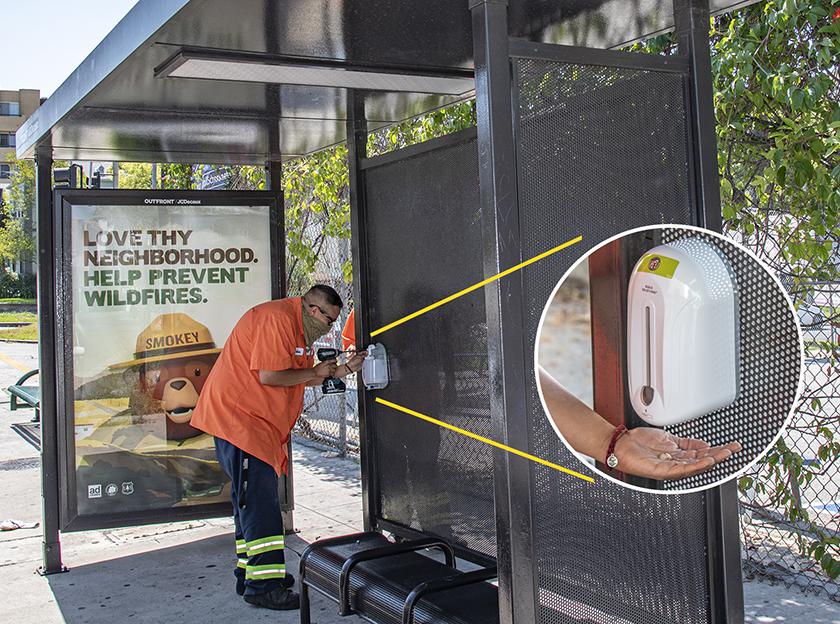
(156, 291)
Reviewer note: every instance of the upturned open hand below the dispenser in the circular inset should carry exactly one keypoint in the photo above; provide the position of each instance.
(657, 454)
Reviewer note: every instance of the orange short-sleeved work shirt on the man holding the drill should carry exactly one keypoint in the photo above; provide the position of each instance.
(234, 405)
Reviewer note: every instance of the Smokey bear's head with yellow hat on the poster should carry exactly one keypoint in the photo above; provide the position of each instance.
(174, 356)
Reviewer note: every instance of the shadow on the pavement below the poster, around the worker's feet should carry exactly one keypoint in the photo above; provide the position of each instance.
(192, 582)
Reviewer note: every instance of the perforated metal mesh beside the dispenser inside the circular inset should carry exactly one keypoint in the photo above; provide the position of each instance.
(768, 367)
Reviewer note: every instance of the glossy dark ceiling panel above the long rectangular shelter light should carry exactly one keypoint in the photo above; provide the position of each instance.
(434, 33)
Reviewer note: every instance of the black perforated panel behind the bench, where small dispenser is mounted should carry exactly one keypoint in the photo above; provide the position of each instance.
(424, 243)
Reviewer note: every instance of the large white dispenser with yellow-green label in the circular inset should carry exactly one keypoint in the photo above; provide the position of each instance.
(682, 333)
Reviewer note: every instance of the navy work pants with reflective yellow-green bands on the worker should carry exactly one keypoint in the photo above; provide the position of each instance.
(261, 564)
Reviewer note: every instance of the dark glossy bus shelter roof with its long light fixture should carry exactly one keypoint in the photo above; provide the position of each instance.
(132, 98)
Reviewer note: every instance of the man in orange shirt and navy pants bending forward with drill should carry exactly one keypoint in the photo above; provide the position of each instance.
(250, 403)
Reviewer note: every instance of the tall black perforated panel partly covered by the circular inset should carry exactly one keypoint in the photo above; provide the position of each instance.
(602, 150)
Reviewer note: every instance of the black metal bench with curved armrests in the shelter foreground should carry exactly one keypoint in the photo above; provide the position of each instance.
(393, 583)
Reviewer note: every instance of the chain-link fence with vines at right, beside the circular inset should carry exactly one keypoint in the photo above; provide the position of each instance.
(789, 507)
